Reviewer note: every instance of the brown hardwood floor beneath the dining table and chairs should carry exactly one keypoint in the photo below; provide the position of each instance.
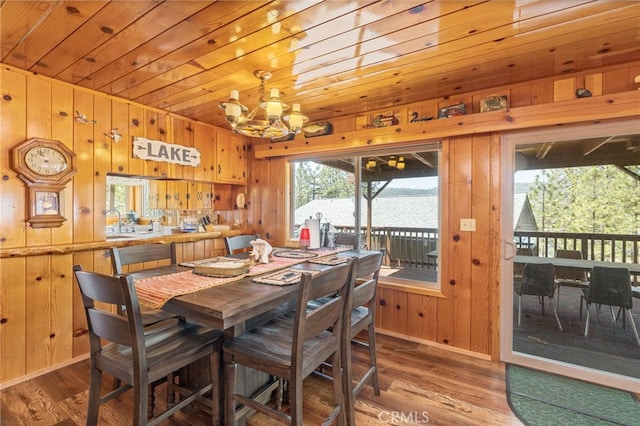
(419, 385)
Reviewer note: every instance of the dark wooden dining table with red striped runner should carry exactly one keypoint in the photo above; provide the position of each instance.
(233, 304)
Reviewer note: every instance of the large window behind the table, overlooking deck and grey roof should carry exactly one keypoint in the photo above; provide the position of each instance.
(398, 207)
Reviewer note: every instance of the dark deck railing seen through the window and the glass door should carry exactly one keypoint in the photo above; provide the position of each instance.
(417, 247)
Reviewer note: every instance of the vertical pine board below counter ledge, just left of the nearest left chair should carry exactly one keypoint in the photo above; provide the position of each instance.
(61, 328)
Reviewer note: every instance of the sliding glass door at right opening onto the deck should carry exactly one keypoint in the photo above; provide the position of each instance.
(572, 192)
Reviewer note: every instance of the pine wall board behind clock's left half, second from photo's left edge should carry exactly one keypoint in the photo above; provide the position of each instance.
(38, 126)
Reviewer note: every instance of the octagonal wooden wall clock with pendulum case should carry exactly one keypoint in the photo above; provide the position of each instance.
(46, 166)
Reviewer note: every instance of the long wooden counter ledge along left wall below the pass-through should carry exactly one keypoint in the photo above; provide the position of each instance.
(185, 237)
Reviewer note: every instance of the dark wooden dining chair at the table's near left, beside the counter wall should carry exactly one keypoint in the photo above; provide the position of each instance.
(123, 348)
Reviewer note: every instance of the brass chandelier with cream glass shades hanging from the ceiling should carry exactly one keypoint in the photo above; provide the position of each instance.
(245, 122)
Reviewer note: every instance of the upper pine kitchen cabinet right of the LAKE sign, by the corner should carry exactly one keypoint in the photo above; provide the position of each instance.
(231, 159)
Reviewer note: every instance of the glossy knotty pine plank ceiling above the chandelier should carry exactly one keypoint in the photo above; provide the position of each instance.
(333, 57)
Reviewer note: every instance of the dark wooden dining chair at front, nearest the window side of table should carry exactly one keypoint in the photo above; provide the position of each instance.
(292, 346)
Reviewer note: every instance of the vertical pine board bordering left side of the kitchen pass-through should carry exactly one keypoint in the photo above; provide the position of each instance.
(101, 163)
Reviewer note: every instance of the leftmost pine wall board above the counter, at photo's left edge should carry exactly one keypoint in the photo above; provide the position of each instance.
(12, 190)
